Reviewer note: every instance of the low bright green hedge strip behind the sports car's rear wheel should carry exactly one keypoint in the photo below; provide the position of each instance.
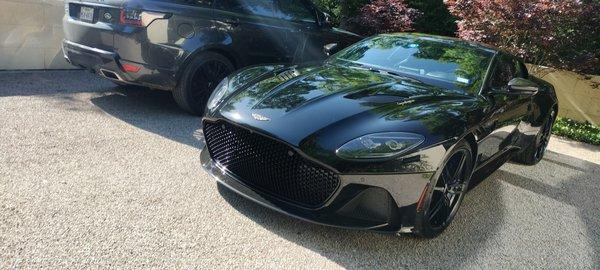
(584, 132)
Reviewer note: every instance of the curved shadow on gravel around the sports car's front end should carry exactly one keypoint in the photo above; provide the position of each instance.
(478, 219)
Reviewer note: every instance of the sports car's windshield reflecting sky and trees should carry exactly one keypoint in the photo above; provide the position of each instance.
(454, 65)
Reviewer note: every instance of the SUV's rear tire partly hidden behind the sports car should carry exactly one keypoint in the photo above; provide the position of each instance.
(199, 79)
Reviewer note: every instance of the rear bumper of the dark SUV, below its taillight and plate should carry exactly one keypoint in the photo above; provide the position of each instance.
(110, 65)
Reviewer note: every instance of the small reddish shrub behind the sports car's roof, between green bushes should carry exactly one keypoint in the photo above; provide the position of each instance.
(381, 16)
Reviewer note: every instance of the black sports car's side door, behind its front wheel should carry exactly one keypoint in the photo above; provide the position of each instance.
(506, 111)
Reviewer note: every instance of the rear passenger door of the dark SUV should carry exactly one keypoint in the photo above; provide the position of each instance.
(253, 31)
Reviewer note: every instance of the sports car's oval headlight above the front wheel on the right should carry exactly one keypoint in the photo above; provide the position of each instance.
(379, 145)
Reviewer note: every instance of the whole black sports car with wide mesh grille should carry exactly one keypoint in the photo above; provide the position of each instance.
(384, 135)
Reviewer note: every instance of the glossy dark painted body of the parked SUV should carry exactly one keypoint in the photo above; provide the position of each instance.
(177, 30)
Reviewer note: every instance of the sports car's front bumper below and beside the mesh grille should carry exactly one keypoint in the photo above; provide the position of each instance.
(377, 202)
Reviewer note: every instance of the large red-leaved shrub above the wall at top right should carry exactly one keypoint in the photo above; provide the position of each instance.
(562, 34)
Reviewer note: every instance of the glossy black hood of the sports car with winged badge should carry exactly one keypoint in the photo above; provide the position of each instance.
(337, 103)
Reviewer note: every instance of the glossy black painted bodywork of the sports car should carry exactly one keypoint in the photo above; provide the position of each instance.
(317, 108)
